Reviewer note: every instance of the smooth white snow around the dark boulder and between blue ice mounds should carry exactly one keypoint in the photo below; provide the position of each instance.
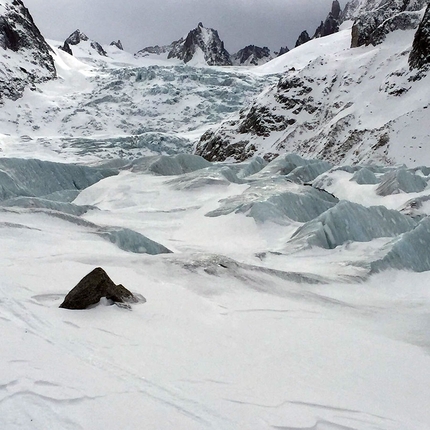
(227, 338)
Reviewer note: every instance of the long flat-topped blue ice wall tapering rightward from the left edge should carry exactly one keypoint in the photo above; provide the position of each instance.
(36, 178)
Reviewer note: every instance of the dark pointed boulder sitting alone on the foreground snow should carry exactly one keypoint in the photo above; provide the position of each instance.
(92, 288)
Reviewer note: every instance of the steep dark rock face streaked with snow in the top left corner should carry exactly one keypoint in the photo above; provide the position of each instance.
(25, 57)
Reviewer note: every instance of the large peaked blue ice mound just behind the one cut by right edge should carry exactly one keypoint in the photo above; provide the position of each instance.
(348, 222)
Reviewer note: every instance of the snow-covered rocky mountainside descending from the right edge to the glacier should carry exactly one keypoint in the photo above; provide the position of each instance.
(342, 104)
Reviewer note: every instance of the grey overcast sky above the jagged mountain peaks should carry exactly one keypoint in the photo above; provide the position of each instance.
(137, 23)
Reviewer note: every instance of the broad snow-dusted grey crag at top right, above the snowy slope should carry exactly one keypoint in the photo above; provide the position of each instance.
(375, 19)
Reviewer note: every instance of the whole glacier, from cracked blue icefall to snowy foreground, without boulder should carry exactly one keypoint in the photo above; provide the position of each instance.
(295, 296)
